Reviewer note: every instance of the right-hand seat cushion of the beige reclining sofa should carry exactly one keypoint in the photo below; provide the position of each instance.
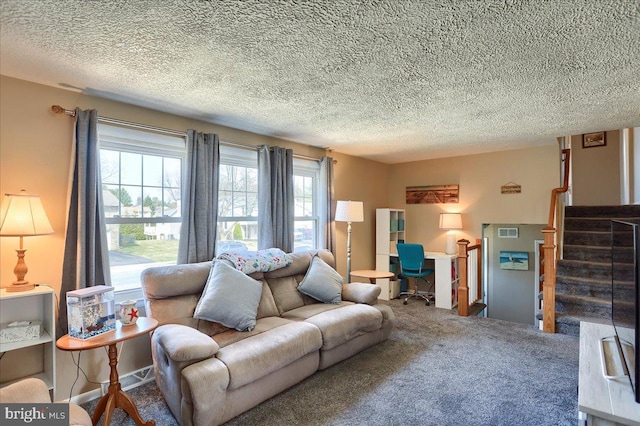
(348, 322)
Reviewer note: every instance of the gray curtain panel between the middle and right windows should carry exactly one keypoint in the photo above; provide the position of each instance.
(275, 198)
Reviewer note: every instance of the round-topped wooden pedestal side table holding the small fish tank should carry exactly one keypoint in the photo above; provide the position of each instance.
(115, 397)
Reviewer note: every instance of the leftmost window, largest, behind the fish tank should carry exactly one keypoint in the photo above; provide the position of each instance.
(142, 180)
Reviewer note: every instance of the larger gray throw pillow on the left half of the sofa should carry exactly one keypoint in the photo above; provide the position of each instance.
(230, 298)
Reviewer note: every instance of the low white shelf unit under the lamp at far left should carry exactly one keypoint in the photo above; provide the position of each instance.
(34, 357)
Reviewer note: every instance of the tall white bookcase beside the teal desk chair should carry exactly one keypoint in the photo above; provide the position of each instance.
(390, 229)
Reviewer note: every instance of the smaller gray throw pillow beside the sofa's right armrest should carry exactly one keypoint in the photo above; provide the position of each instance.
(322, 282)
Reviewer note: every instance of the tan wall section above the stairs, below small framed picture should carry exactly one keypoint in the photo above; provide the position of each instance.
(595, 172)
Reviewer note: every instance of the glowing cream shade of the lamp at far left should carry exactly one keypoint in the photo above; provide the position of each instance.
(24, 215)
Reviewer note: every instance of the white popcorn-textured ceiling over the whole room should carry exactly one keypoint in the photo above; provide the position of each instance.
(393, 81)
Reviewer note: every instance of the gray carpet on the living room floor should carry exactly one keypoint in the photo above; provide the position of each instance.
(436, 369)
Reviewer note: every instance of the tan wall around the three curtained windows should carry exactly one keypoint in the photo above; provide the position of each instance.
(35, 147)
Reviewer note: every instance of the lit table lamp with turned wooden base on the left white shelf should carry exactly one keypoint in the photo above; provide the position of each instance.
(23, 216)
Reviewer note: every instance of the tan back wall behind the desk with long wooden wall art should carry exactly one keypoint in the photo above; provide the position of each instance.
(481, 202)
